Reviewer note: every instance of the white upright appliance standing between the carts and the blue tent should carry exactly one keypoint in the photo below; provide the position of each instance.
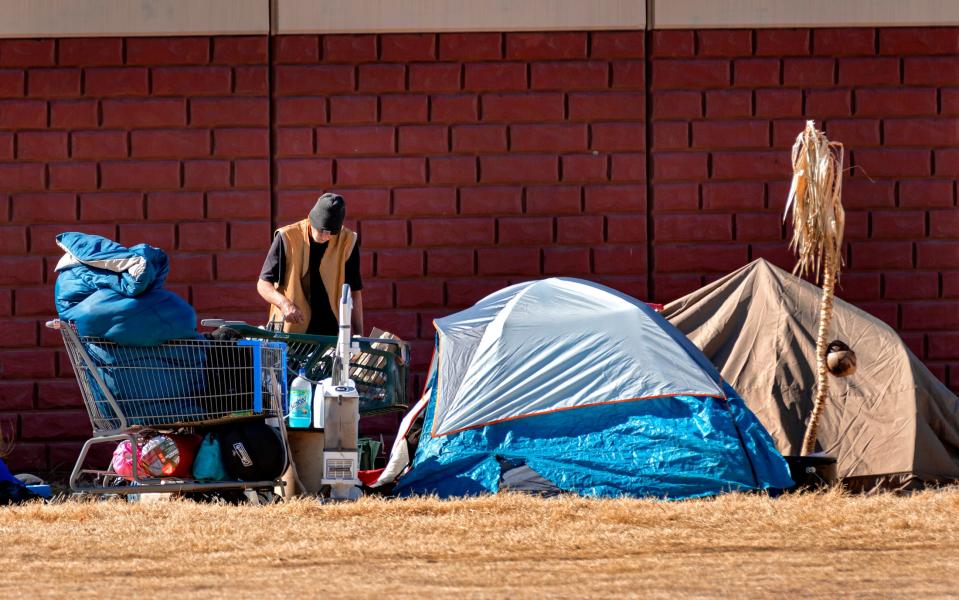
(339, 413)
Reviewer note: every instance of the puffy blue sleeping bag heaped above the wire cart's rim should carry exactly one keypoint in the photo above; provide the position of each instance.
(115, 292)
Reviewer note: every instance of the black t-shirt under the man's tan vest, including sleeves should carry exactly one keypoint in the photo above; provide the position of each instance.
(324, 321)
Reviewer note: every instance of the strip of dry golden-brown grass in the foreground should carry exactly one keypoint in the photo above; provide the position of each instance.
(499, 546)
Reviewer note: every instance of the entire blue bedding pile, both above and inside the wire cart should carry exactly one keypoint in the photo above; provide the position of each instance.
(113, 292)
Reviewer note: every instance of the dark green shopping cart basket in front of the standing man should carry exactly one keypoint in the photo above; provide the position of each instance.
(380, 369)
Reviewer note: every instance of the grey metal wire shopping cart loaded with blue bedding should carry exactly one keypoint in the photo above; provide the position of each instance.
(133, 392)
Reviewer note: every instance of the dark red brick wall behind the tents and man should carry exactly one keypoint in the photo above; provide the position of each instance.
(469, 162)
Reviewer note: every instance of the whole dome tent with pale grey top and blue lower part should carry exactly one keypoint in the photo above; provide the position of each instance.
(588, 389)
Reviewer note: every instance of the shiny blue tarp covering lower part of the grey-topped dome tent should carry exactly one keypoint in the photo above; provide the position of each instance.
(675, 447)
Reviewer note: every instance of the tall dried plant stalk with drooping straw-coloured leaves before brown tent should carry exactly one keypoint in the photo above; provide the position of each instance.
(815, 198)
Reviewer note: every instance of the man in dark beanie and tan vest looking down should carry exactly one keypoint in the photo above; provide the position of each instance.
(303, 275)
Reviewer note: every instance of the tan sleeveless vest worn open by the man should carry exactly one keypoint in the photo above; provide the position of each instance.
(296, 271)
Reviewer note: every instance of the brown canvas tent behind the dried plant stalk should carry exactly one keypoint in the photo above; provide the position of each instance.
(892, 424)
